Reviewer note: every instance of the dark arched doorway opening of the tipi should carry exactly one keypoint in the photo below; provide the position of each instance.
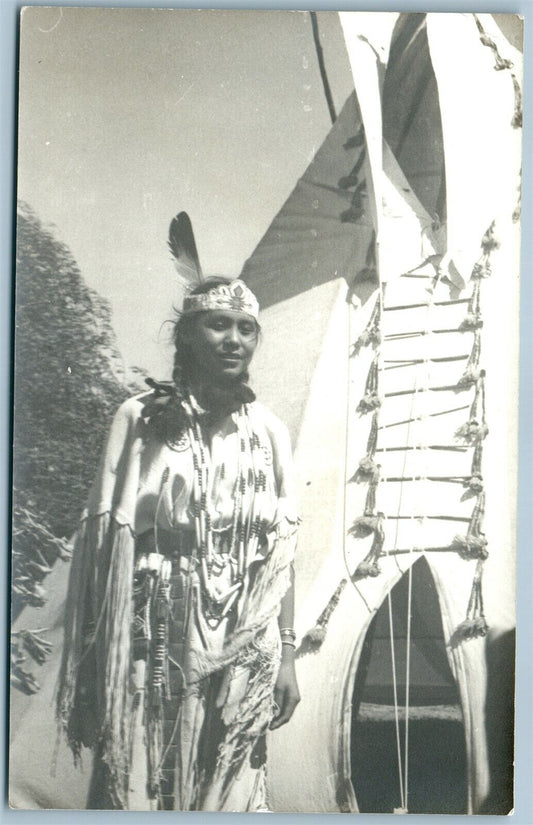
(427, 719)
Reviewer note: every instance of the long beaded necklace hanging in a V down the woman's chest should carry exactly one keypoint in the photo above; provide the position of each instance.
(247, 524)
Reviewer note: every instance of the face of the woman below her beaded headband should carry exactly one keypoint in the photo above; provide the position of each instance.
(222, 343)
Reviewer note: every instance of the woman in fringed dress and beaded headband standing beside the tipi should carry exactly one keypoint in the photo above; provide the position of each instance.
(179, 644)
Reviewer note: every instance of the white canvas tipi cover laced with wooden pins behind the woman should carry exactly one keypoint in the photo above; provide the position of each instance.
(407, 372)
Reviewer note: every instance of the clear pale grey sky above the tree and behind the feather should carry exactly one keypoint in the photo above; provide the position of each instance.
(128, 116)
